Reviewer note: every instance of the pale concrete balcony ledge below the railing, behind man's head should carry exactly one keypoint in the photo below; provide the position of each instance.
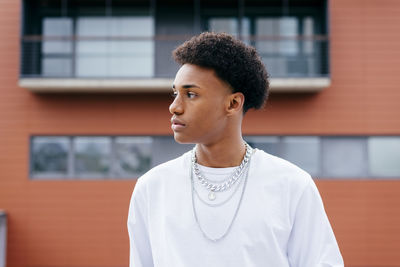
(156, 85)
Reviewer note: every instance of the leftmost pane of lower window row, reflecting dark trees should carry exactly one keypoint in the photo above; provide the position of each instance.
(49, 156)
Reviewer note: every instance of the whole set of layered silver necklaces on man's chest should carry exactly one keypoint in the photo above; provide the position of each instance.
(215, 187)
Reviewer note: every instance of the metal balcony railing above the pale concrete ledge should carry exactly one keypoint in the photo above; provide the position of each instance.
(144, 57)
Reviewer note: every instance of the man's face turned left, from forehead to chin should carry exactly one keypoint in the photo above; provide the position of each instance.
(199, 106)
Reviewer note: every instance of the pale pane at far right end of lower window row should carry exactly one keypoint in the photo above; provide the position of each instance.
(384, 156)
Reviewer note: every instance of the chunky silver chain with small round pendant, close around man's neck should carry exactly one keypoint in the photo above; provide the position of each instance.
(226, 184)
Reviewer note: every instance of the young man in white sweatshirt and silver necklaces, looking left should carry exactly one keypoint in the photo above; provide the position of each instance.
(225, 203)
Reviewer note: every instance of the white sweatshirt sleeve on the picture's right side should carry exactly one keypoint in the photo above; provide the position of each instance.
(312, 242)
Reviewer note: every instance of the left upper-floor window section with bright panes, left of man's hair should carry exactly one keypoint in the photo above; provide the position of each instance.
(88, 39)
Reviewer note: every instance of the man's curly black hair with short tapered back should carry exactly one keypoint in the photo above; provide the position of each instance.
(233, 62)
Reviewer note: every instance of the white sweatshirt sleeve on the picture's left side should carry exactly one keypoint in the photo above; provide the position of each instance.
(140, 254)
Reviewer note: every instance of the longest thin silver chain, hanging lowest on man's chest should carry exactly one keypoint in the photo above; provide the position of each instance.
(234, 215)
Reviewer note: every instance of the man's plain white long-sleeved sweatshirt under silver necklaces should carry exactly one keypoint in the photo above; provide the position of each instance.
(281, 220)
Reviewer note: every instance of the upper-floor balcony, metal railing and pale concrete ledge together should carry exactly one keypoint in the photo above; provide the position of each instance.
(144, 64)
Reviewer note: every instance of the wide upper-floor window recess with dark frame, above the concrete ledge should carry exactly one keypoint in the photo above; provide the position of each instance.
(120, 39)
